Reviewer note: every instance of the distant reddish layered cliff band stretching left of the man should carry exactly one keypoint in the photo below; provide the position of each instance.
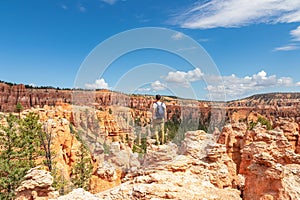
(10, 95)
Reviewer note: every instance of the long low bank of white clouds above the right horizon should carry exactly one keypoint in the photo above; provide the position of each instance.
(235, 87)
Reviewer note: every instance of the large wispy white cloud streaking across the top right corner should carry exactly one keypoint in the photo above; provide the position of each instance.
(237, 13)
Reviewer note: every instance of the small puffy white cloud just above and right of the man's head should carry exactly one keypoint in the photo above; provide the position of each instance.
(184, 78)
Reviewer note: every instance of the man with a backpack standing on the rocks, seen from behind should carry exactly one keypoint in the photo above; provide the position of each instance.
(159, 115)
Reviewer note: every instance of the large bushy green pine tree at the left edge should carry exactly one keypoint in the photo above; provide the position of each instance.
(20, 147)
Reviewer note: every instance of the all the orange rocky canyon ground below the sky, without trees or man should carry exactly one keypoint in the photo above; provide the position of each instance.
(251, 150)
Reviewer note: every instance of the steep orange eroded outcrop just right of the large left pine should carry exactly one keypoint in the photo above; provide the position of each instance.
(67, 140)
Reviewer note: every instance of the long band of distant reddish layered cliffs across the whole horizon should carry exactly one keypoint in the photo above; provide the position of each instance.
(206, 113)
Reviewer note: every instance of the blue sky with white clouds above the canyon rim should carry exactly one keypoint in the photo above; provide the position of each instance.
(255, 45)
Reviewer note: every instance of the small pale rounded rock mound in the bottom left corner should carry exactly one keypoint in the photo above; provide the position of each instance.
(37, 185)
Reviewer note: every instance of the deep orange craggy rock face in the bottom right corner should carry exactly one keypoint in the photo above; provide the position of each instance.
(267, 159)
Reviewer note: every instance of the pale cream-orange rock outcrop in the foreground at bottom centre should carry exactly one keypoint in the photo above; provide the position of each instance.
(169, 175)
